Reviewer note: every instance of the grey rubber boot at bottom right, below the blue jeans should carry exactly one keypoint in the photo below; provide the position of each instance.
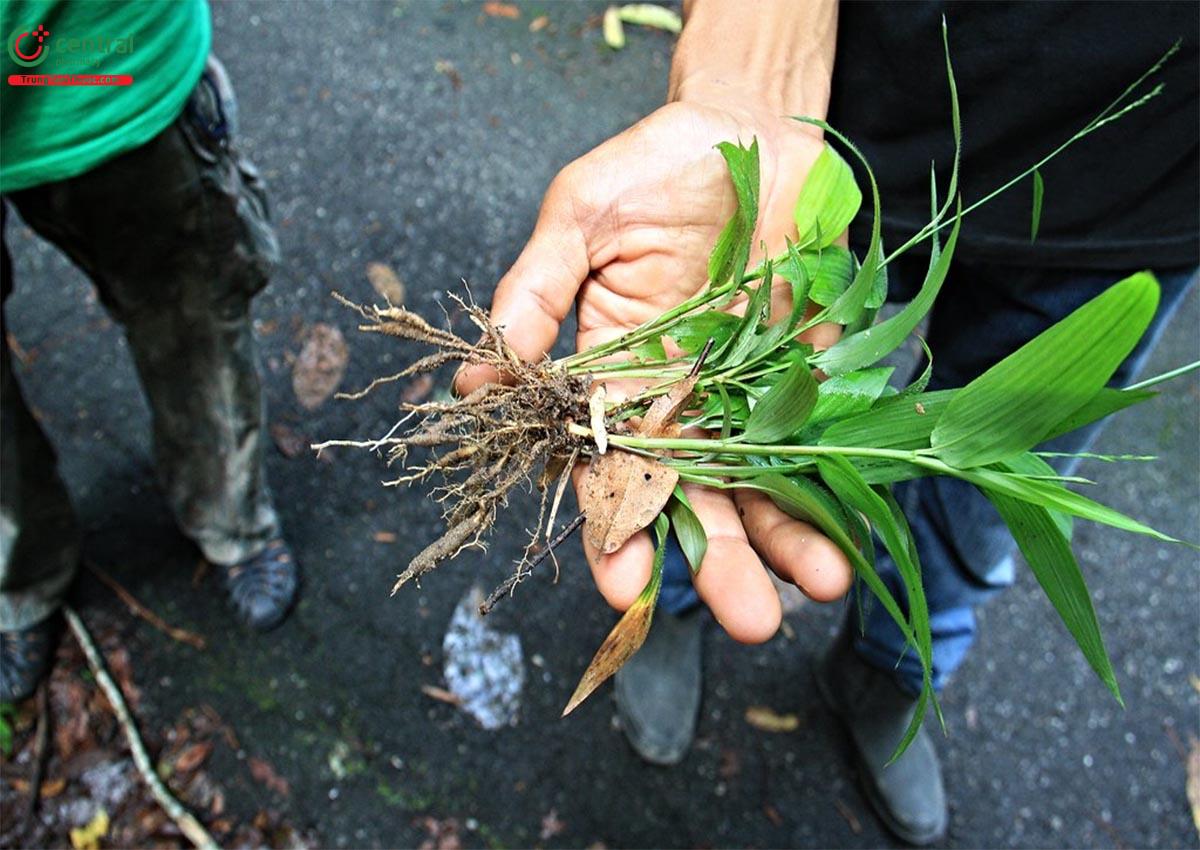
(908, 795)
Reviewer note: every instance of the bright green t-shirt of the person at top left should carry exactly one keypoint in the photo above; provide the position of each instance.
(59, 131)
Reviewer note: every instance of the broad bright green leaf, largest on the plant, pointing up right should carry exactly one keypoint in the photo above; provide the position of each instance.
(1016, 404)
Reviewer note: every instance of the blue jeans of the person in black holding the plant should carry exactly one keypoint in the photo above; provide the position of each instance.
(983, 314)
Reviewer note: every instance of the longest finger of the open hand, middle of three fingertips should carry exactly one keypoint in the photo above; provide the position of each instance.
(733, 580)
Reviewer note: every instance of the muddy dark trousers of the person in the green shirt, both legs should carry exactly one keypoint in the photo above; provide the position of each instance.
(176, 237)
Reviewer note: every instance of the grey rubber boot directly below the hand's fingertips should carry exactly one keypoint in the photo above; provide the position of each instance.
(658, 690)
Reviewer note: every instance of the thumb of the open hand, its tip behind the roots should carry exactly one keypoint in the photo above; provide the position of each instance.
(536, 295)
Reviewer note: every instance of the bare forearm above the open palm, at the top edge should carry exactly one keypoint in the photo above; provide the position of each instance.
(777, 53)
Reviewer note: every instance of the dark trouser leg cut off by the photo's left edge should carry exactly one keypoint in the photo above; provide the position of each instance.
(39, 536)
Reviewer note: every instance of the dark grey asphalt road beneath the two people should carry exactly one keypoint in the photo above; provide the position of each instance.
(374, 154)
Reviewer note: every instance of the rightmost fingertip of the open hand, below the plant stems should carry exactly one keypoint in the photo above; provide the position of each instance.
(795, 550)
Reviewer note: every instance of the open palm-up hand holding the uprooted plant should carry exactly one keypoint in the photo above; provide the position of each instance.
(625, 235)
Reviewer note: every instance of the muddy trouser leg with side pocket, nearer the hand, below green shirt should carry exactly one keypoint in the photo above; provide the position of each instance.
(177, 240)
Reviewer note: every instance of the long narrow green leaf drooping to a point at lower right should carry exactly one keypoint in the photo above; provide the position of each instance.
(1049, 556)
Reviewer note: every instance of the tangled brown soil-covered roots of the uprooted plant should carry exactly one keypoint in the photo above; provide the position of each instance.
(482, 446)
